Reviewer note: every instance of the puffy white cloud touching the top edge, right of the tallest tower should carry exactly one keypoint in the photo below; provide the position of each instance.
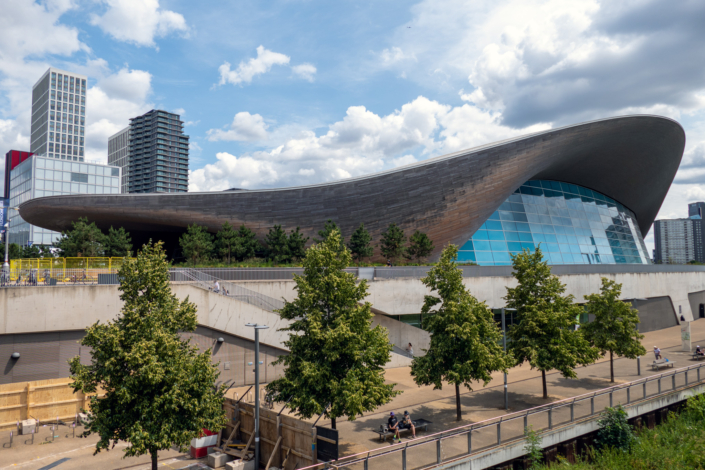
(138, 21)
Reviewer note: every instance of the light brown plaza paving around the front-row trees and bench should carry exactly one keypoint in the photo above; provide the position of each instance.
(437, 406)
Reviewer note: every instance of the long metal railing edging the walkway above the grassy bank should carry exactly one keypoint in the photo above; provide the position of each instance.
(465, 440)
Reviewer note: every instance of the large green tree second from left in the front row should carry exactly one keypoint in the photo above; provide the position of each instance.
(335, 356)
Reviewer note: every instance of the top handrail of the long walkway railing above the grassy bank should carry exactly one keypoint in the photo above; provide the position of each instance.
(497, 421)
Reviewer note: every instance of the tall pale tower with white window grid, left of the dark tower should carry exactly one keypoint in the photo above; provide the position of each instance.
(59, 115)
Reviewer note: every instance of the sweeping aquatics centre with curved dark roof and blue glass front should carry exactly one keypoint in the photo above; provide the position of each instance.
(588, 193)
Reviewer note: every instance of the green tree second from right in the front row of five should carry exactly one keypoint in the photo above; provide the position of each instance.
(545, 335)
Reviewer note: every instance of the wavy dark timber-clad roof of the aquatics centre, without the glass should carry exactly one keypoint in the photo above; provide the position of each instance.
(632, 159)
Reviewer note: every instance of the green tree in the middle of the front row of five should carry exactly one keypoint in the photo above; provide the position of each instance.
(465, 339)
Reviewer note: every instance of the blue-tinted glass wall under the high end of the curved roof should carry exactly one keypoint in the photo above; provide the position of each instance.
(572, 225)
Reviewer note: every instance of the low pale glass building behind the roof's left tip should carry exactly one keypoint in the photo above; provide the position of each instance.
(40, 176)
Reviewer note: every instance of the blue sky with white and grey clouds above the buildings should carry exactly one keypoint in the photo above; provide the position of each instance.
(291, 92)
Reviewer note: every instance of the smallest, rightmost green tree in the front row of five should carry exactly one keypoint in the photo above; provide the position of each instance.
(614, 328)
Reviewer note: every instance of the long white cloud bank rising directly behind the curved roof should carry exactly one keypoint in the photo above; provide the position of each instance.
(362, 142)
